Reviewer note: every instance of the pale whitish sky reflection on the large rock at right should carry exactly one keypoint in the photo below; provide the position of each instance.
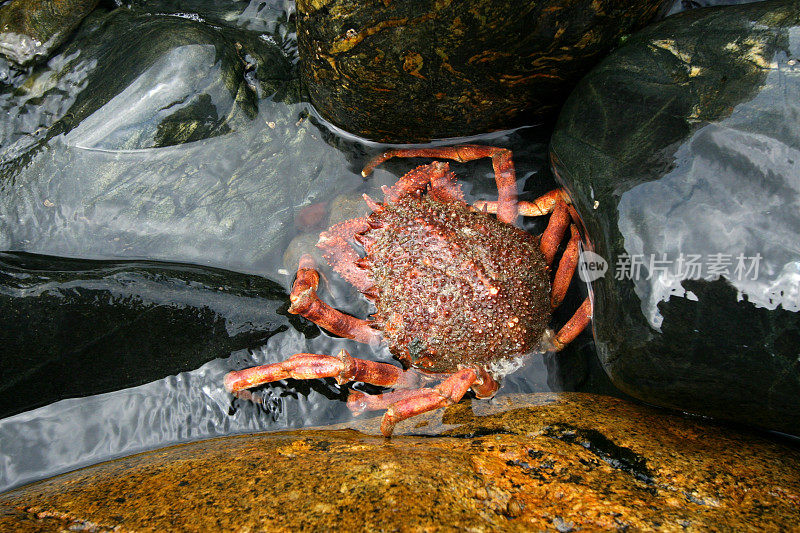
(732, 193)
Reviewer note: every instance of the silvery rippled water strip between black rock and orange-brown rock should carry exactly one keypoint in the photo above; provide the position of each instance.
(187, 406)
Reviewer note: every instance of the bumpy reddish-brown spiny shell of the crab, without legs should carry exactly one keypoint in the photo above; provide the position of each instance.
(453, 286)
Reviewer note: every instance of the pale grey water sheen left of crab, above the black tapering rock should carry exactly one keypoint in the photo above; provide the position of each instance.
(182, 203)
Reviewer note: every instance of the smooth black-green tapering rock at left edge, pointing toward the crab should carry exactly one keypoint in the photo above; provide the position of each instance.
(73, 328)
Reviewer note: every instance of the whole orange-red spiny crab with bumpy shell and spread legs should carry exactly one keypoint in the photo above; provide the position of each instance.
(460, 294)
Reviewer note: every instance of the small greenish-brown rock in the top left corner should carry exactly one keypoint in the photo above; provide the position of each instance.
(31, 29)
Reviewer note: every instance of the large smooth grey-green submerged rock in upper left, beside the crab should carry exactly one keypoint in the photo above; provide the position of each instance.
(163, 136)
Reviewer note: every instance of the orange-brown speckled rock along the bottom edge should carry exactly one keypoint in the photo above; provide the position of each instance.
(557, 462)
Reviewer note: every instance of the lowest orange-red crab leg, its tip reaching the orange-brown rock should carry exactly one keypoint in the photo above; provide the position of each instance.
(446, 393)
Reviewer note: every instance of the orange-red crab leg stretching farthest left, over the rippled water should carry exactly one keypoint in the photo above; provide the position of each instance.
(342, 367)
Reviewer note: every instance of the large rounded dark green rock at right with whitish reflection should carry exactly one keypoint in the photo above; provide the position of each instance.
(686, 141)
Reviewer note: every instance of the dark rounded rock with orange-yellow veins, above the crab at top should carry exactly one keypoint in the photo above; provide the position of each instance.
(414, 71)
